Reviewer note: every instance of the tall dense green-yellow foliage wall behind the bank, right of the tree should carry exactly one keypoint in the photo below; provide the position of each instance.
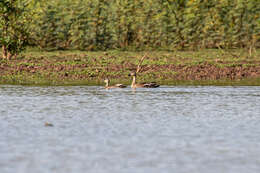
(145, 24)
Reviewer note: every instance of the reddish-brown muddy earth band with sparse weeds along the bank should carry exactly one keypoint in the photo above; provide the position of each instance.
(61, 71)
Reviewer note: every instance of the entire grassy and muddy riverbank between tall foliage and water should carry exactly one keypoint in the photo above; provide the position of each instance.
(207, 67)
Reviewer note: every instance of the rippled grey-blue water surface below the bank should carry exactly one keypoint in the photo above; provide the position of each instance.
(168, 129)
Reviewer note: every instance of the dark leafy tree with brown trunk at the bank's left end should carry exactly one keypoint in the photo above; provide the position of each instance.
(13, 28)
